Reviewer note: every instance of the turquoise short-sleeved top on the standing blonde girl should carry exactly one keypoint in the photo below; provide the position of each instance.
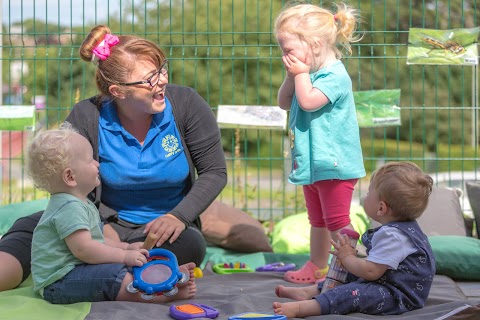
(325, 143)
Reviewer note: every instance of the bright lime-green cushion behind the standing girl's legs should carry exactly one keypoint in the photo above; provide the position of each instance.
(292, 234)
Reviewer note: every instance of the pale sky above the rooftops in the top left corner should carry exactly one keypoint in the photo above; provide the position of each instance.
(67, 11)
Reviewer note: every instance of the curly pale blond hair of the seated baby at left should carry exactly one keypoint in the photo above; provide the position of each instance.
(49, 153)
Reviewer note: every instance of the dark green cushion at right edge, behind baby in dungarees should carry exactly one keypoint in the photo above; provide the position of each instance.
(456, 256)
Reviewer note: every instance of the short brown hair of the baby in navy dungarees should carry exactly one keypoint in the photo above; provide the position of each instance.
(404, 188)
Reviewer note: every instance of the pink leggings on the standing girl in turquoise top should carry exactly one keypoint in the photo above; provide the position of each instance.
(328, 203)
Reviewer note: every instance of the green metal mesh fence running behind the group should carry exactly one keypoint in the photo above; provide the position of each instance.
(227, 52)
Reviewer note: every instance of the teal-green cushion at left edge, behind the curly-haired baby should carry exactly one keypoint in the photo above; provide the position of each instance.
(10, 213)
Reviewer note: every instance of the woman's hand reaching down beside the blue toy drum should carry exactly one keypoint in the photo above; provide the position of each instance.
(166, 227)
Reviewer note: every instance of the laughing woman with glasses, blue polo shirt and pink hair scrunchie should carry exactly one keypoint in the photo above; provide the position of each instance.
(161, 163)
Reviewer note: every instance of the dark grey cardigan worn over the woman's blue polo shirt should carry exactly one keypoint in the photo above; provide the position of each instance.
(200, 137)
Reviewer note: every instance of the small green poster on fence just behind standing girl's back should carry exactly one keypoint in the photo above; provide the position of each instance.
(378, 108)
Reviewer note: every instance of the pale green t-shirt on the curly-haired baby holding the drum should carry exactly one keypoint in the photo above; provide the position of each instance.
(51, 257)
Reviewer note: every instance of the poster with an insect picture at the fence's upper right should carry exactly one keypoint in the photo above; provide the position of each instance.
(455, 46)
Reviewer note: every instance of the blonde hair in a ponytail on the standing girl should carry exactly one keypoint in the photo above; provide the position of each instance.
(311, 23)
